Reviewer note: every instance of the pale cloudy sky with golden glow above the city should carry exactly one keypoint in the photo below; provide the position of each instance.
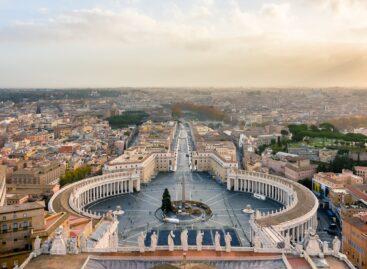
(183, 43)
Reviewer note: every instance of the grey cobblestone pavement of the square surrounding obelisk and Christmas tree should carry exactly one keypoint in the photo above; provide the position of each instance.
(140, 207)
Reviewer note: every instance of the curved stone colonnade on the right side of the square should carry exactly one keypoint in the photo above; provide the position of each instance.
(284, 191)
